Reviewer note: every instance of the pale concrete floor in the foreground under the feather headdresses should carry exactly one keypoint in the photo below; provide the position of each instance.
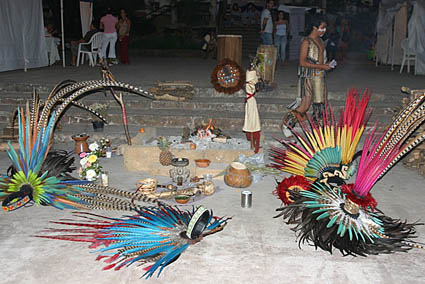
(253, 248)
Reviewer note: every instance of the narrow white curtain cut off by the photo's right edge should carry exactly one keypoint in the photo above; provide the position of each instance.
(416, 35)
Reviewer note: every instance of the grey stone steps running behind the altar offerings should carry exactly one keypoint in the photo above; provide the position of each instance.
(228, 111)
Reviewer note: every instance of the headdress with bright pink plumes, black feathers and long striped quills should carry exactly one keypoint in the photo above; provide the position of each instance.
(345, 216)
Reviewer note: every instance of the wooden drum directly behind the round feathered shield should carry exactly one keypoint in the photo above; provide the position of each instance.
(230, 46)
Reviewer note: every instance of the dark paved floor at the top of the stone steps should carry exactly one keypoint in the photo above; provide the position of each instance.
(146, 71)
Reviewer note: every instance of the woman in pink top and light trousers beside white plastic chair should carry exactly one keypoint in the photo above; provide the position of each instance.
(108, 24)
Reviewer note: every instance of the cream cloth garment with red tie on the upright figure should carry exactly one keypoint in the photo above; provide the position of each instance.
(252, 118)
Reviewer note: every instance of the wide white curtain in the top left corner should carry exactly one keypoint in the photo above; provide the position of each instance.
(22, 41)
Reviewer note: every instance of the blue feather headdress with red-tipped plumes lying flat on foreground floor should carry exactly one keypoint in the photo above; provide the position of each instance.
(158, 235)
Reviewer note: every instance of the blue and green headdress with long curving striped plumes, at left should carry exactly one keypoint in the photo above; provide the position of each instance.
(36, 125)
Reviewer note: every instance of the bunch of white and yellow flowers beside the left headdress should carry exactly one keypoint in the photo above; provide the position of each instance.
(90, 166)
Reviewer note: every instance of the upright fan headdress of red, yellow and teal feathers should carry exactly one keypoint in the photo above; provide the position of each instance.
(327, 145)
